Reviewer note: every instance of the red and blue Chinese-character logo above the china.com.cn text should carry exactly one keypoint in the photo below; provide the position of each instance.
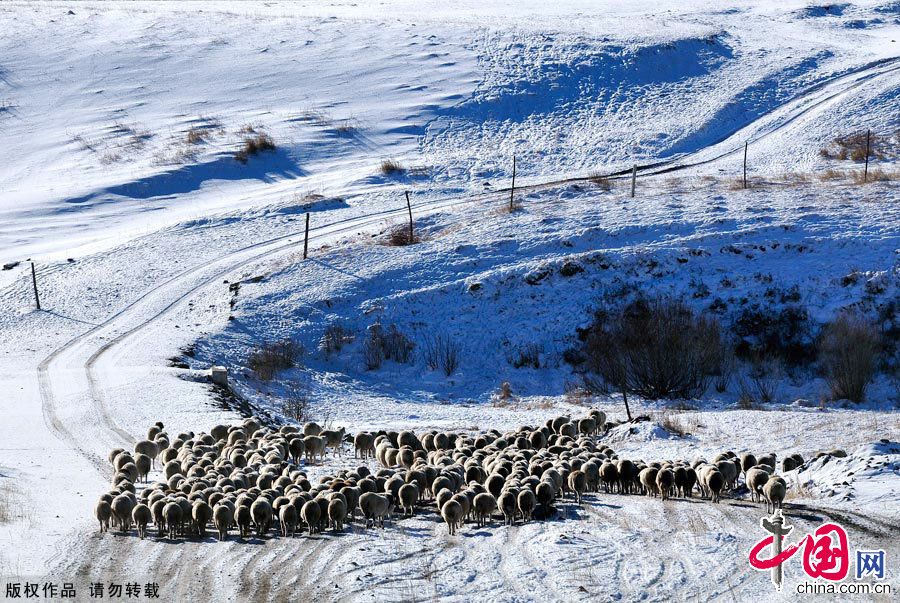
(826, 552)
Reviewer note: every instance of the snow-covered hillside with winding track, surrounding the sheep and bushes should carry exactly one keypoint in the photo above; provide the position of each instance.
(120, 121)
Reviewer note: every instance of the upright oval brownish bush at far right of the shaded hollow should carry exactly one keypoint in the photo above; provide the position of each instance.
(848, 349)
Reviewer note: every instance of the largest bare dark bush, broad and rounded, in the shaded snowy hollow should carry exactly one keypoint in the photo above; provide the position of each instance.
(654, 348)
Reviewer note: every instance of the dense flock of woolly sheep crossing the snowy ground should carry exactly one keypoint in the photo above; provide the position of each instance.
(248, 477)
